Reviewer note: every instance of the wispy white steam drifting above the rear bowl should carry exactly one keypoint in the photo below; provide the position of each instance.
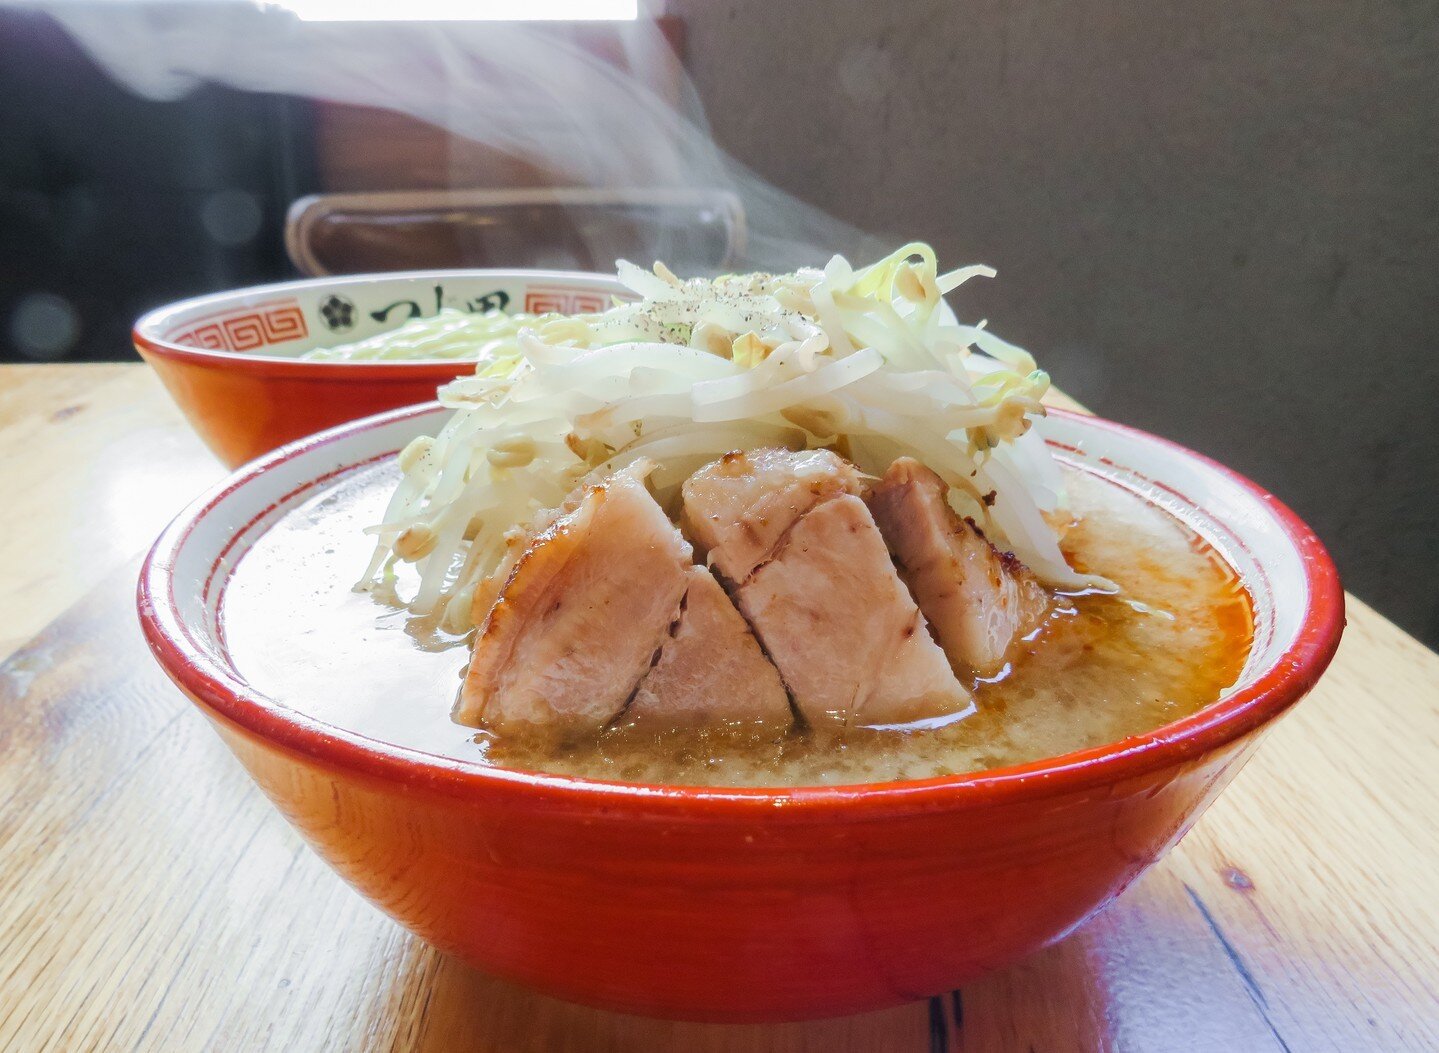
(527, 90)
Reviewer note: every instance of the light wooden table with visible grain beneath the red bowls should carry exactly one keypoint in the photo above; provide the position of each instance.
(150, 898)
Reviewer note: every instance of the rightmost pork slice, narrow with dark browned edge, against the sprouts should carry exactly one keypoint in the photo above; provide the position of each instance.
(978, 599)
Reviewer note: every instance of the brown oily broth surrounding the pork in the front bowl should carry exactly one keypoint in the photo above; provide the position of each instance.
(1096, 673)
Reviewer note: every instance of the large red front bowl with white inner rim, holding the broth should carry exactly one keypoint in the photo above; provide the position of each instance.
(743, 904)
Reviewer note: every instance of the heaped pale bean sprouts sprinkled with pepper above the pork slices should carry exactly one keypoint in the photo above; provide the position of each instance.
(864, 362)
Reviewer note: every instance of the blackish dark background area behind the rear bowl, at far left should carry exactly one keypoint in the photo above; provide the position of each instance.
(112, 205)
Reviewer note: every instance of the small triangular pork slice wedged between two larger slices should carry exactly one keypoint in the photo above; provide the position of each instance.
(710, 671)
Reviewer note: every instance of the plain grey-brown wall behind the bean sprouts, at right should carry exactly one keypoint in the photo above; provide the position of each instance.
(1214, 221)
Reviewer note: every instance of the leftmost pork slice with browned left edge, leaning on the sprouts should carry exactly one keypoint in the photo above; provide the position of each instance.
(585, 609)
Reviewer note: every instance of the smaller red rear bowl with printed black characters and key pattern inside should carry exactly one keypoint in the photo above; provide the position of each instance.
(231, 363)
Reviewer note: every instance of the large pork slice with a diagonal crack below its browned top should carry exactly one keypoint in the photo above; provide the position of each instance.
(811, 573)
